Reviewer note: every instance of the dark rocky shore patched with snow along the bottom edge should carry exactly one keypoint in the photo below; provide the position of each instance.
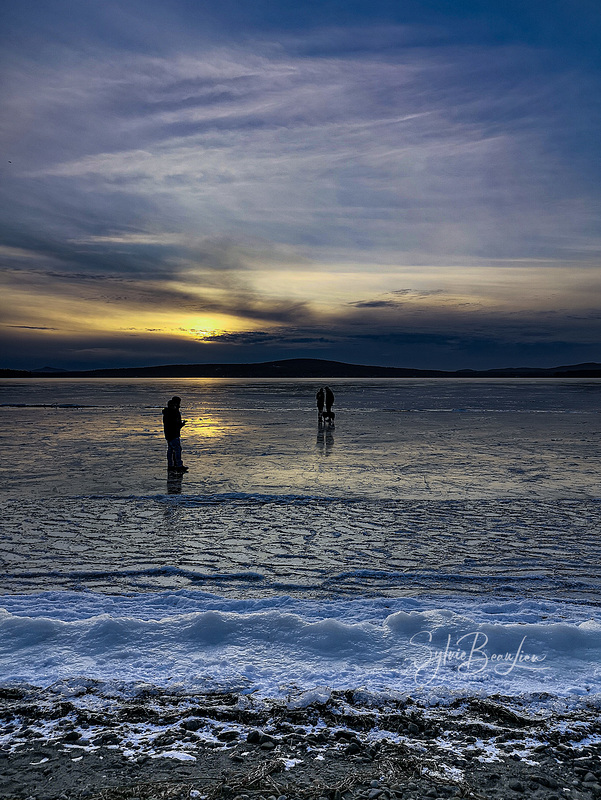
(80, 742)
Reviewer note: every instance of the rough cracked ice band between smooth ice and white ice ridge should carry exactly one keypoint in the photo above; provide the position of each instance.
(269, 545)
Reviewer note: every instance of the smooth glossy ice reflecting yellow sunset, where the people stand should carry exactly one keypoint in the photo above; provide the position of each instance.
(395, 439)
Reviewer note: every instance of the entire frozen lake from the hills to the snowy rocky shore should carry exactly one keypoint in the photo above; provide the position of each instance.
(289, 555)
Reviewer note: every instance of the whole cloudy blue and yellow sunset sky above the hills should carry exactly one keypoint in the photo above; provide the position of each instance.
(406, 183)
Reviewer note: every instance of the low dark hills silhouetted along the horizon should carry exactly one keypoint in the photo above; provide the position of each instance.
(306, 368)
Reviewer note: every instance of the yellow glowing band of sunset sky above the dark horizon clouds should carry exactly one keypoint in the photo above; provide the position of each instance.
(326, 295)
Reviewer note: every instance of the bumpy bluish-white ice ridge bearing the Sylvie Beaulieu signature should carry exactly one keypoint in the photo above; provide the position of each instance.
(280, 646)
